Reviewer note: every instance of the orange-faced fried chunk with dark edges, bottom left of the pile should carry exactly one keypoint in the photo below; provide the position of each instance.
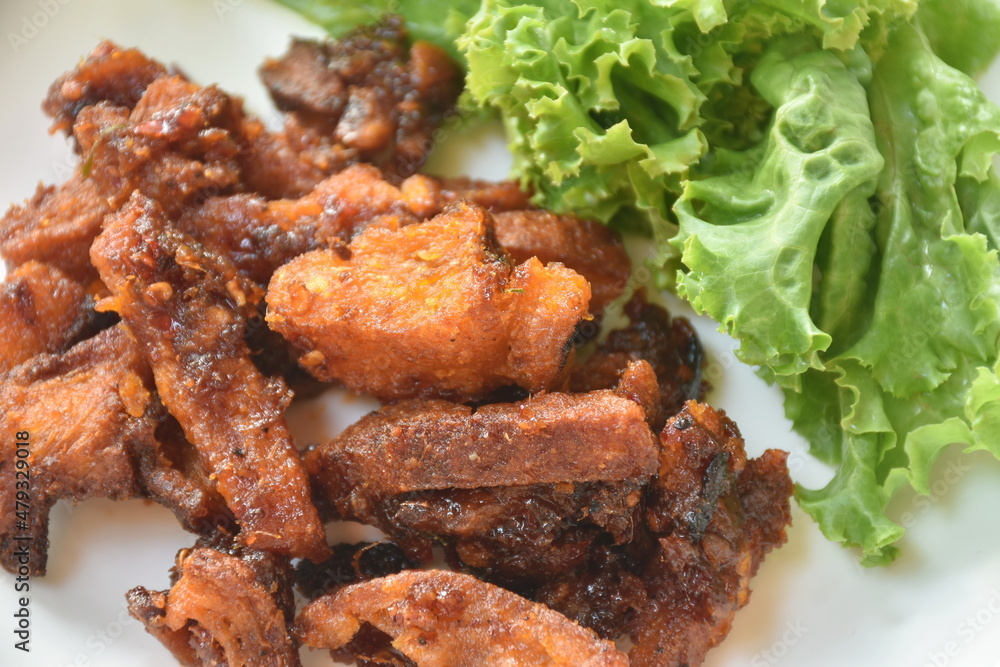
(227, 607)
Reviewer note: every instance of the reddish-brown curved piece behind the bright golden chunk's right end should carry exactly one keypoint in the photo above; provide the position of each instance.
(589, 248)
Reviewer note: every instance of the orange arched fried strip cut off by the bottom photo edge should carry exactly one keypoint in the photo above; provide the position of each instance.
(438, 618)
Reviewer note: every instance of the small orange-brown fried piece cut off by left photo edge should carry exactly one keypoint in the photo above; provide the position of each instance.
(41, 310)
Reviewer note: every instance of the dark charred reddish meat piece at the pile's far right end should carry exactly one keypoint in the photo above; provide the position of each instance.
(710, 516)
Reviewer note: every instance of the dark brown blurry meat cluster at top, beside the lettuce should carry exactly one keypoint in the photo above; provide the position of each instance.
(379, 99)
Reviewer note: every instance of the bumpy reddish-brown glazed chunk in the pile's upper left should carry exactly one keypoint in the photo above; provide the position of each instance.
(178, 144)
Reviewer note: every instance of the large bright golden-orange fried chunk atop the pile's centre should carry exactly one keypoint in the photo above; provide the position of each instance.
(433, 309)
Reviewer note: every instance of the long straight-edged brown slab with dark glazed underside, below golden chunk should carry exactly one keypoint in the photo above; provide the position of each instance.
(516, 491)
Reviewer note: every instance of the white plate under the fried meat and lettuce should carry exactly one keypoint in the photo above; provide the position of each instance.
(938, 605)
